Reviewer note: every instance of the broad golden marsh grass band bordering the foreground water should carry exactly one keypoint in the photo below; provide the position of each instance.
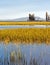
(25, 35)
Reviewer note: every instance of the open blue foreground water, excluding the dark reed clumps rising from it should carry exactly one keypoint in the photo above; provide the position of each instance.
(35, 51)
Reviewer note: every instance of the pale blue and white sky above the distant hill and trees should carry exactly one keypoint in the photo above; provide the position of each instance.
(12, 9)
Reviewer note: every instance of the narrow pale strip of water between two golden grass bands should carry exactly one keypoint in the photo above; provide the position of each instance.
(24, 26)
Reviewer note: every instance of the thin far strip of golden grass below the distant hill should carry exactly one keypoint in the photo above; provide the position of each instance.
(24, 23)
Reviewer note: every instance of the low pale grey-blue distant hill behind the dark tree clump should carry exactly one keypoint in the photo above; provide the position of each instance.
(24, 19)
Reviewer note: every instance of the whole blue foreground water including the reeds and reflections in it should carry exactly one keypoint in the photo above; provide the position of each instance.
(12, 54)
